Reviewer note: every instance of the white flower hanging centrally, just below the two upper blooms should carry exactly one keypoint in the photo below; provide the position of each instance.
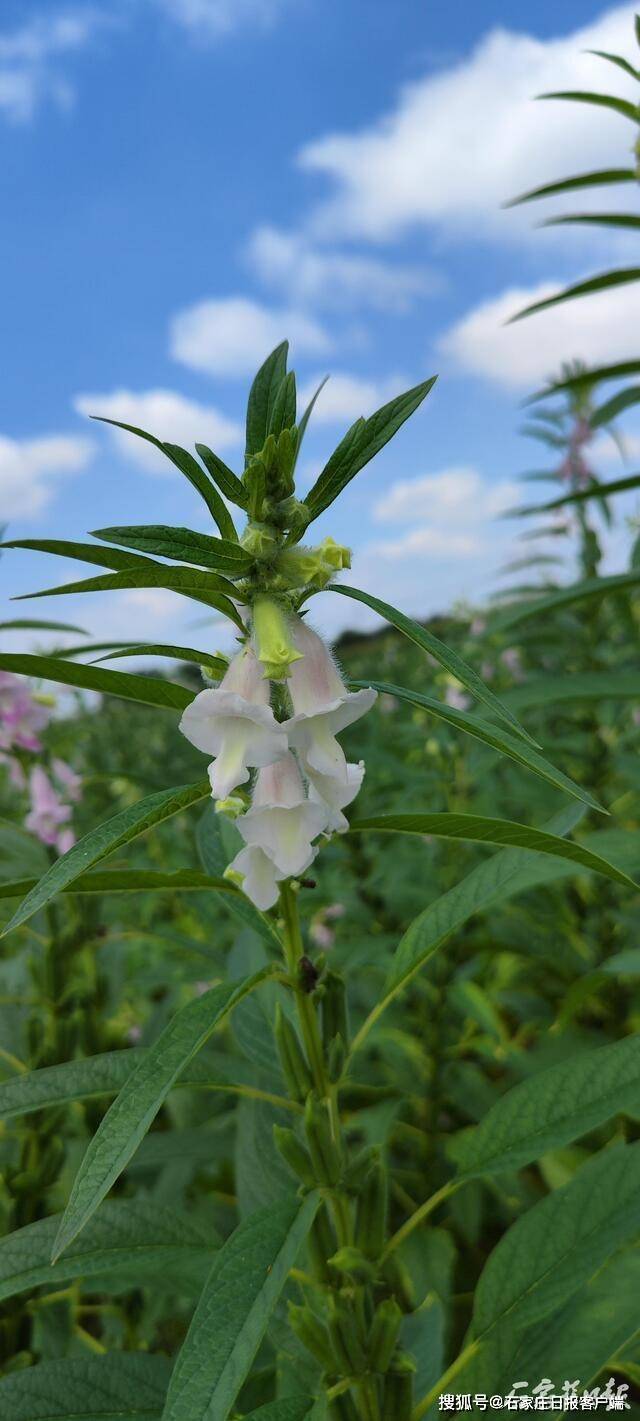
(282, 822)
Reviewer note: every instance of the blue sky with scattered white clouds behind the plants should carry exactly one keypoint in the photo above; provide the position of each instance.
(187, 183)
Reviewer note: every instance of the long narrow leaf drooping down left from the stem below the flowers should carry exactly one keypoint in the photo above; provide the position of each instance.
(140, 1101)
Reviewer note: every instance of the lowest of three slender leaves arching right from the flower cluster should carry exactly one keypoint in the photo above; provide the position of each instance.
(477, 829)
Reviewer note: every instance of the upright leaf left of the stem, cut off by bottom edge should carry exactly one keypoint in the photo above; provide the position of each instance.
(233, 1317)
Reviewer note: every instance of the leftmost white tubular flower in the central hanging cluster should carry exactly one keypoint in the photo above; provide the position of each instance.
(237, 724)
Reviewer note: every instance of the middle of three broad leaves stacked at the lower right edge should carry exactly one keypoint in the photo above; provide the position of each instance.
(561, 1243)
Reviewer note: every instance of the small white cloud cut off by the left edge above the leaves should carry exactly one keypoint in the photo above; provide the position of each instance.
(31, 468)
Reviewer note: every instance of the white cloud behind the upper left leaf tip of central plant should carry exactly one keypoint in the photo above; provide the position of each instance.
(161, 413)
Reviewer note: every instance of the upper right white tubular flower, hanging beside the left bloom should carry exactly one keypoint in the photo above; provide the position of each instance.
(322, 707)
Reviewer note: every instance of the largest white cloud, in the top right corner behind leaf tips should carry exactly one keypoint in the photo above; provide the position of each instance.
(463, 141)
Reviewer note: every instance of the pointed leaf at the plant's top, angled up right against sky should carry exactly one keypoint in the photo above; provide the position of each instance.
(362, 444)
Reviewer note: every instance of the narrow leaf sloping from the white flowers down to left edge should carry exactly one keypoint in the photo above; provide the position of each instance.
(114, 833)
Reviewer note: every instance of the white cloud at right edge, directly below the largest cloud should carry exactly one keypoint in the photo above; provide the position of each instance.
(598, 330)
